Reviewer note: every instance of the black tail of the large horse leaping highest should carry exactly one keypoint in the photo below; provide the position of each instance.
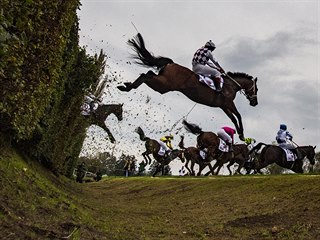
(144, 56)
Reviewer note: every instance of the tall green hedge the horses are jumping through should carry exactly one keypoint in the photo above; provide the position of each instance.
(43, 78)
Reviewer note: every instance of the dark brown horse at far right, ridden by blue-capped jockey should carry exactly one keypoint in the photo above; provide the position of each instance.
(274, 154)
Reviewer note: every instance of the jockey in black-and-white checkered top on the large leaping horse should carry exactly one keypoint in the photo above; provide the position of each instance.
(201, 64)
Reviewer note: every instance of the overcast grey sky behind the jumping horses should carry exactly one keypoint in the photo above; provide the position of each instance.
(275, 41)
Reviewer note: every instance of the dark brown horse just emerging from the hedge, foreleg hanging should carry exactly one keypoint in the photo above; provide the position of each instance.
(99, 116)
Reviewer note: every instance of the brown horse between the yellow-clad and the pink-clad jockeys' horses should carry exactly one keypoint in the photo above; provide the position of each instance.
(192, 155)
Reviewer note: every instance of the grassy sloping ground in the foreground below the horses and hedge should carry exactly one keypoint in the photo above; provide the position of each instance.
(35, 204)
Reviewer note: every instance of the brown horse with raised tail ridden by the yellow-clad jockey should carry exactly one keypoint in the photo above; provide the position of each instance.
(153, 147)
